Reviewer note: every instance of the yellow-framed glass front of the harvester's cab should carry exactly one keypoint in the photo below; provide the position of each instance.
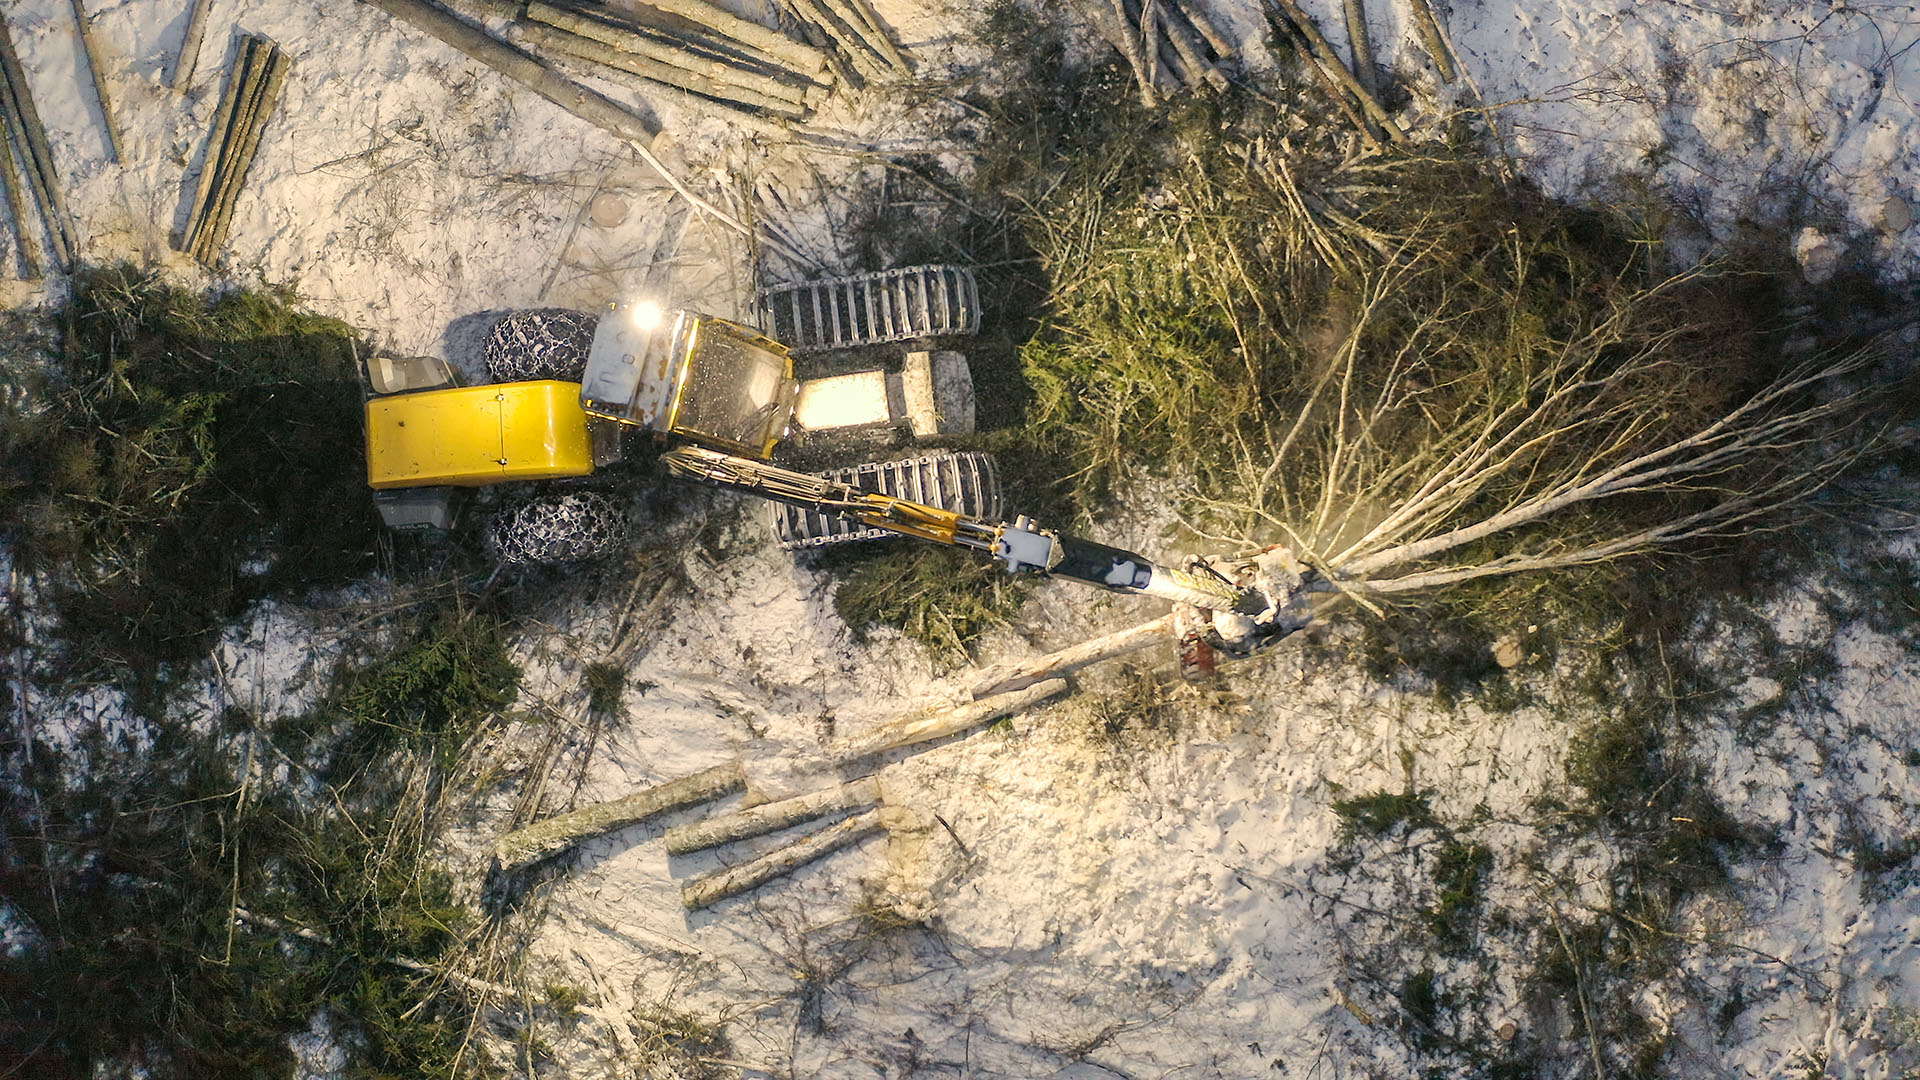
(736, 393)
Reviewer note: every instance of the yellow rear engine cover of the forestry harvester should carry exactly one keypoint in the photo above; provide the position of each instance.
(477, 435)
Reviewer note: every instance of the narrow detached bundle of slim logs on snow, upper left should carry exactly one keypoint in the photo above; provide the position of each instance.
(247, 107)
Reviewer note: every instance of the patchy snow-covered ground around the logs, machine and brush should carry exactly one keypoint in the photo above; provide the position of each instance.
(1155, 900)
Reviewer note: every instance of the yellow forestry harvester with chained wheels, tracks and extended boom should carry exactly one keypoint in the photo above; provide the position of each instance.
(721, 397)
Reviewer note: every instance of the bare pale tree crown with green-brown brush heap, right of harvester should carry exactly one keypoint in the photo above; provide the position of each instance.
(1414, 374)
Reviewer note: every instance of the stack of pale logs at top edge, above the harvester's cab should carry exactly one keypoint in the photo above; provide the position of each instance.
(692, 47)
